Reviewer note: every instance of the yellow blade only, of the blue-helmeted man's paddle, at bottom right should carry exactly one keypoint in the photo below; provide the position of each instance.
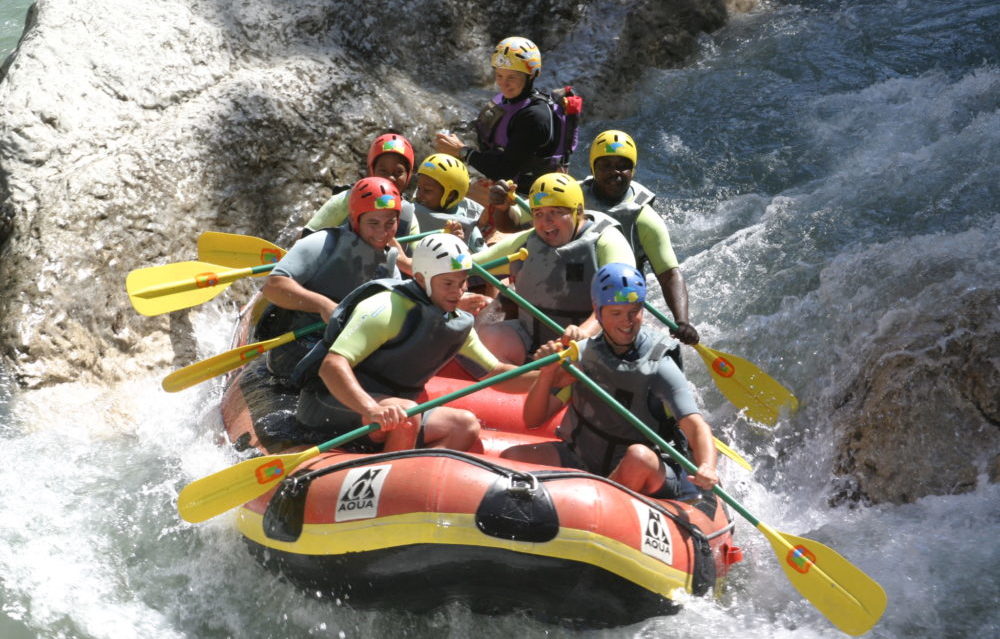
(845, 595)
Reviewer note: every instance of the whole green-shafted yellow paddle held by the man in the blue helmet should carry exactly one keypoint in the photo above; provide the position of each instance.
(845, 595)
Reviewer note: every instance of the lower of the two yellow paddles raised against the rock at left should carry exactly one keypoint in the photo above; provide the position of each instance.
(171, 287)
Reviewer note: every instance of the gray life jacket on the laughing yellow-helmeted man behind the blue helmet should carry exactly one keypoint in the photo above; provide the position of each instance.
(557, 279)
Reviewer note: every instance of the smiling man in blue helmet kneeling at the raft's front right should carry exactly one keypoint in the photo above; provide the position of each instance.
(628, 360)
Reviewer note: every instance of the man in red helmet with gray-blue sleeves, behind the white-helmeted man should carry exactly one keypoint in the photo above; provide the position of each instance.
(321, 269)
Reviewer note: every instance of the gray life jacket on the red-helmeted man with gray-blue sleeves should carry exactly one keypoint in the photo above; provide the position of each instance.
(348, 263)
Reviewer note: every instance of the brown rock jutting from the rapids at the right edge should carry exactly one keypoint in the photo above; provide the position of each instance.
(926, 401)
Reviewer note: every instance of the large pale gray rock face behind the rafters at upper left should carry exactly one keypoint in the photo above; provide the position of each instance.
(122, 139)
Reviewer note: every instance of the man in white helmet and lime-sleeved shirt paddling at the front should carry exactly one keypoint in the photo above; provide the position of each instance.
(385, 340)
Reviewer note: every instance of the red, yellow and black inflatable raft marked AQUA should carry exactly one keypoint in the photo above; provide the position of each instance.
(417, 529)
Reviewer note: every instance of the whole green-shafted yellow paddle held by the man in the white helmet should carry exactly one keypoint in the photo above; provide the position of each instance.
(215, 494)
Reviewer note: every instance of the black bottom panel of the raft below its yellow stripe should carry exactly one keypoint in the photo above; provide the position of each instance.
(422, 577)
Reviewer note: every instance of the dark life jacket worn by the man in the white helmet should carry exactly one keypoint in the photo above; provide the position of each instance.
(403, 365)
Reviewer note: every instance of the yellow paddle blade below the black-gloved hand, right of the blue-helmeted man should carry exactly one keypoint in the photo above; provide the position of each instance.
(747, 387)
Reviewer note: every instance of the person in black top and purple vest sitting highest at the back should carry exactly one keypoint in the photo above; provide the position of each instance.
(519, 133)
